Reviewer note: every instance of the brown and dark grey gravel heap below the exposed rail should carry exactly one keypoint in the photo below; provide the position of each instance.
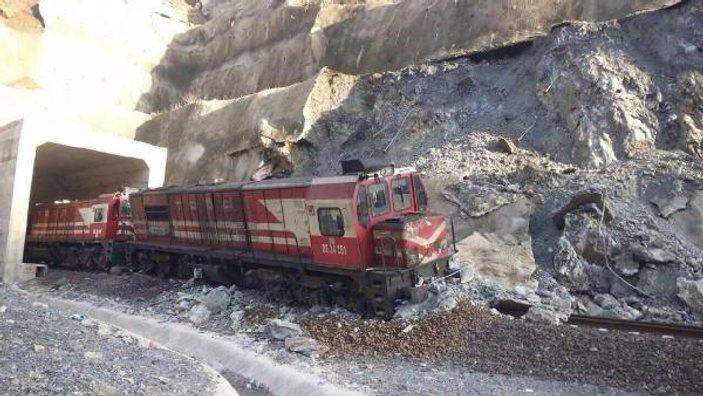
(471, 337)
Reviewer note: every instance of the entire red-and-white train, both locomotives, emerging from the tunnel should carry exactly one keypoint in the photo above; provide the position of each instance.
(361, 240)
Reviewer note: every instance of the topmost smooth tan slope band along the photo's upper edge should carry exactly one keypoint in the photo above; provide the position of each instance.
(244, 48)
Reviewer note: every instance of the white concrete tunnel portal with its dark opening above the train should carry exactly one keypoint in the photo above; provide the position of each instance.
(44, 161)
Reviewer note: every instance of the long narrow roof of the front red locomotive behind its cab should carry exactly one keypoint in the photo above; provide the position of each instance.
(303, 181)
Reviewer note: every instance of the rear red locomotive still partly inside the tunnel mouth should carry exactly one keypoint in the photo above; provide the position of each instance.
(79, 233)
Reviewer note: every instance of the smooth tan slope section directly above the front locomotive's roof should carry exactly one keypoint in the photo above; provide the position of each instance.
(264, 124)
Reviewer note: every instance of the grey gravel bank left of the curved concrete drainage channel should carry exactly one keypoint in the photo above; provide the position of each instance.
(43, 351)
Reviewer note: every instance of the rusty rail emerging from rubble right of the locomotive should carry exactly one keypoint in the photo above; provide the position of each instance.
(517, 309)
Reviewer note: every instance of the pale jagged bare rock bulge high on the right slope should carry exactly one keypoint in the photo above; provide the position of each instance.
(613, 124)
